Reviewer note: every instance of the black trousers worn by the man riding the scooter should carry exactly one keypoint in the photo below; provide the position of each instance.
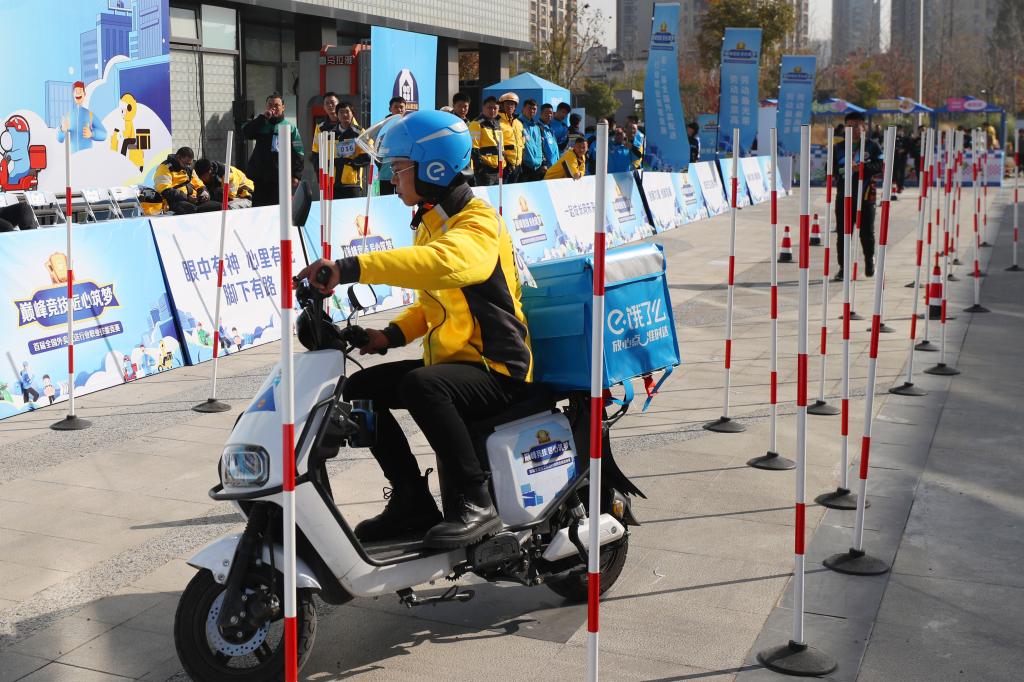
(441, 399)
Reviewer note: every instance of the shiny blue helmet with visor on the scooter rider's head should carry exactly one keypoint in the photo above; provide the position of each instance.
(440, 144)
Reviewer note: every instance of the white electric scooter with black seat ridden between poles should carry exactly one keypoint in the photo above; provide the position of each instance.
(230, 624)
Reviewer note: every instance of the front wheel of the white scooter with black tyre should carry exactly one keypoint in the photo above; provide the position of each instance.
(208, 657)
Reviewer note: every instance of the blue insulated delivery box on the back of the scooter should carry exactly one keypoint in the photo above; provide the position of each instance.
(639, 331)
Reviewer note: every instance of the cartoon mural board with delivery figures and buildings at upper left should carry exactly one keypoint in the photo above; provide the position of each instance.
(98, 80)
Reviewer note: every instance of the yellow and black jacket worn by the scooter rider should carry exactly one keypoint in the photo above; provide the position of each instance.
(468, 302)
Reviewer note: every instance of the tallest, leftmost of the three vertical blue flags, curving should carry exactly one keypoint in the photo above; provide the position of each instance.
(668, 148)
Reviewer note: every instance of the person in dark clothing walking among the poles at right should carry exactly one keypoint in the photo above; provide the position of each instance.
(866, 203)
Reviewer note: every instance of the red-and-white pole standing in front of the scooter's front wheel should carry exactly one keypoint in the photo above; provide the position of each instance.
(288, 402)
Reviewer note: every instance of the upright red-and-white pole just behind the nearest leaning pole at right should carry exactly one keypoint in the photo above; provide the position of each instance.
(842, 498)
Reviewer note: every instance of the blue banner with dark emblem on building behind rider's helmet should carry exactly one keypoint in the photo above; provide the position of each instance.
(405, 65)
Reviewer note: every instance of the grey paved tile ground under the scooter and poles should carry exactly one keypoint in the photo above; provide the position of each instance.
(96, 527)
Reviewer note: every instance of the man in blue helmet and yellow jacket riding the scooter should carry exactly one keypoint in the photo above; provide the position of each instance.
(477, 353)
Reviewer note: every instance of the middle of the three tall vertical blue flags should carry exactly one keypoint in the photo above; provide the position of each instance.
(739, 106)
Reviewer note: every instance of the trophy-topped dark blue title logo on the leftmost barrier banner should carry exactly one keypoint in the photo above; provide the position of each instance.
(50, 307)
